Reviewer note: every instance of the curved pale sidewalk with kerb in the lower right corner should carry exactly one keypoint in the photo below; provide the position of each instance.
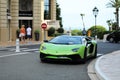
(107, 67)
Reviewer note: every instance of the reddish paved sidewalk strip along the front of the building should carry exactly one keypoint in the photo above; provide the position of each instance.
(13, 43)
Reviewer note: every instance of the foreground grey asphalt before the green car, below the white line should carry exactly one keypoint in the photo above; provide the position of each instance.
(29, 67)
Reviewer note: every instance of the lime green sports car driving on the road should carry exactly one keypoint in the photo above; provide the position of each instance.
(68, 48)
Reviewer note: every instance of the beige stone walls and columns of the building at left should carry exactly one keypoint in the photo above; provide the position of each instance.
(8, 27)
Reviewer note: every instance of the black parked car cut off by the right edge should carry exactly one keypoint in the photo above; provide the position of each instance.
(114, 37)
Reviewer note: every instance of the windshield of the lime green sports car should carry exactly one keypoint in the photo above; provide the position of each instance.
(66, 40)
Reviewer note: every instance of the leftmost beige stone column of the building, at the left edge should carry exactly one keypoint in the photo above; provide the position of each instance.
(3, 21)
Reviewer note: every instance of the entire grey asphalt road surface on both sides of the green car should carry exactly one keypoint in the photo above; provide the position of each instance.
(26, 65)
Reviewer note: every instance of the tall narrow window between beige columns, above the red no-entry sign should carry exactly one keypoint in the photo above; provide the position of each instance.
(47, 10)
